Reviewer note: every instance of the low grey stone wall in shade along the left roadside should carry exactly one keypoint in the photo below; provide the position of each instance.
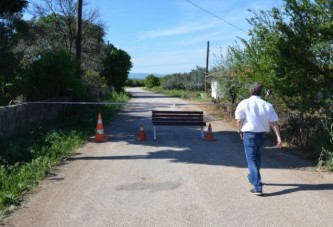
(26, 116)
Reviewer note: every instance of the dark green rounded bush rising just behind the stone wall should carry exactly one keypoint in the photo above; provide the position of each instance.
(52, 75)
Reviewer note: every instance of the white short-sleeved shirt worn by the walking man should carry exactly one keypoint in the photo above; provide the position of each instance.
(257, 114)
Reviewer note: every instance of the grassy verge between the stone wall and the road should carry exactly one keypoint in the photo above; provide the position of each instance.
(27, 158)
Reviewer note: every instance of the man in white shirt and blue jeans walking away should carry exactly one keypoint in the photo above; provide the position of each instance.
(254, 116)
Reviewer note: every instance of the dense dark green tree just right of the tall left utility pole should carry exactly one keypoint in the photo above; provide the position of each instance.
(116, 66)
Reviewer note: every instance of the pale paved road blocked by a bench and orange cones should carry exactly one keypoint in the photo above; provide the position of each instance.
(176, 180)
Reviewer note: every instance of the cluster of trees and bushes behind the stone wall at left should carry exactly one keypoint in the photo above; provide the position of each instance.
(39, 58)
